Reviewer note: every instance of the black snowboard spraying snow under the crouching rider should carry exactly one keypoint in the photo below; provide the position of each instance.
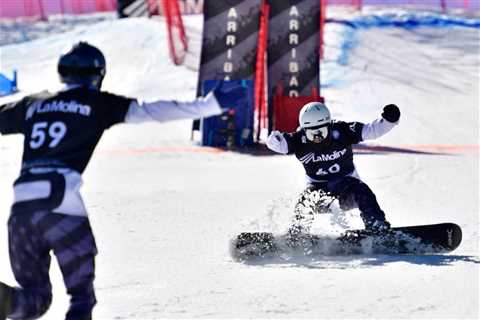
(420, 239)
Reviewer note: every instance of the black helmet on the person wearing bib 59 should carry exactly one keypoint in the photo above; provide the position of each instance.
(82, 64)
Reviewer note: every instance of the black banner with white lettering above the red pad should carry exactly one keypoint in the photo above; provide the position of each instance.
(293, 47)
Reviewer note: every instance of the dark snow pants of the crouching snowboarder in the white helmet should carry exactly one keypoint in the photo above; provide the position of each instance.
(351, 193)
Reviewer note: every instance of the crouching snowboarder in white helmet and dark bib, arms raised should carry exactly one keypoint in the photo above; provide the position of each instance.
(324, 147)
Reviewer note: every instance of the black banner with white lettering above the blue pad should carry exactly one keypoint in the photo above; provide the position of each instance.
(230, 33)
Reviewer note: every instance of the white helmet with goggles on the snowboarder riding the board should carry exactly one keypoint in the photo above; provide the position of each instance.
(315, 119)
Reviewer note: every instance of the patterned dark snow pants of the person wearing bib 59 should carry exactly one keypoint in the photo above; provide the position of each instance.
(31, 238)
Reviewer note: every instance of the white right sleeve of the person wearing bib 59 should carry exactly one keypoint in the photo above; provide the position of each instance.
(163, 110)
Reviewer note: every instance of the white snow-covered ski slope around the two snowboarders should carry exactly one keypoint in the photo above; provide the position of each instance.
(164, 209)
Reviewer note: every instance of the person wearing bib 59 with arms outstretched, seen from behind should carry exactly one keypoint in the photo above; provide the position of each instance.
(61, 131)
